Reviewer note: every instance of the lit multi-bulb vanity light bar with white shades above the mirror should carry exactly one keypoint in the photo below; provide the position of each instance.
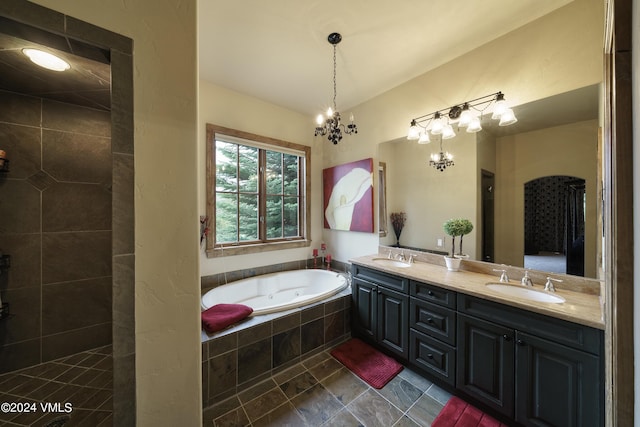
(466, 115)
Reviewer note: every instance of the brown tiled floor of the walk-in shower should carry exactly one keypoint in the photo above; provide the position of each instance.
(85, 380)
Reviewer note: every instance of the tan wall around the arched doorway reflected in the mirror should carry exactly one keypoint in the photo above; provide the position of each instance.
(531, 155)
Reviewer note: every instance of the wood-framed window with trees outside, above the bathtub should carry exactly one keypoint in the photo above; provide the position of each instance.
(256, 192)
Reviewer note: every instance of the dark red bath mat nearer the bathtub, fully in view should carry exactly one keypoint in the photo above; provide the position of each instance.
(366, 362)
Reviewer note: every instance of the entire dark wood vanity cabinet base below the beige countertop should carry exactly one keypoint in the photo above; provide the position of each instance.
(534, 369)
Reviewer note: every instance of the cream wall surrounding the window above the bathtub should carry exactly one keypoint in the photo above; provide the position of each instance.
(221, 106)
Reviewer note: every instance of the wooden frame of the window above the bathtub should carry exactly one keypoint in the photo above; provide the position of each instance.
(214, 249)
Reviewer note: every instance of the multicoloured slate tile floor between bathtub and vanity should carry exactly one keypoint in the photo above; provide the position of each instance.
(320, 391)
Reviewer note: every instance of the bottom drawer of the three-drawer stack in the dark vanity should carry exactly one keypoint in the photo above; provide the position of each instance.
(432, 356)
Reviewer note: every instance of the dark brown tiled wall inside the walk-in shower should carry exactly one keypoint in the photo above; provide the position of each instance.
(55, 210)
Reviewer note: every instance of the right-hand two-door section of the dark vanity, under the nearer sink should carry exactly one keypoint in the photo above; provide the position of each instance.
(535, 369)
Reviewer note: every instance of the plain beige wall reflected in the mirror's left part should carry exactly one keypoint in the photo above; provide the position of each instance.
(430, 197)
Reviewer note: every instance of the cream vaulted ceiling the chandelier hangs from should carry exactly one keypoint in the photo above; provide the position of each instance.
(277, 50)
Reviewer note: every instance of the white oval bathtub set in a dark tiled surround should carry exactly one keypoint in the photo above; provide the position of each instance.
(270, 293)
